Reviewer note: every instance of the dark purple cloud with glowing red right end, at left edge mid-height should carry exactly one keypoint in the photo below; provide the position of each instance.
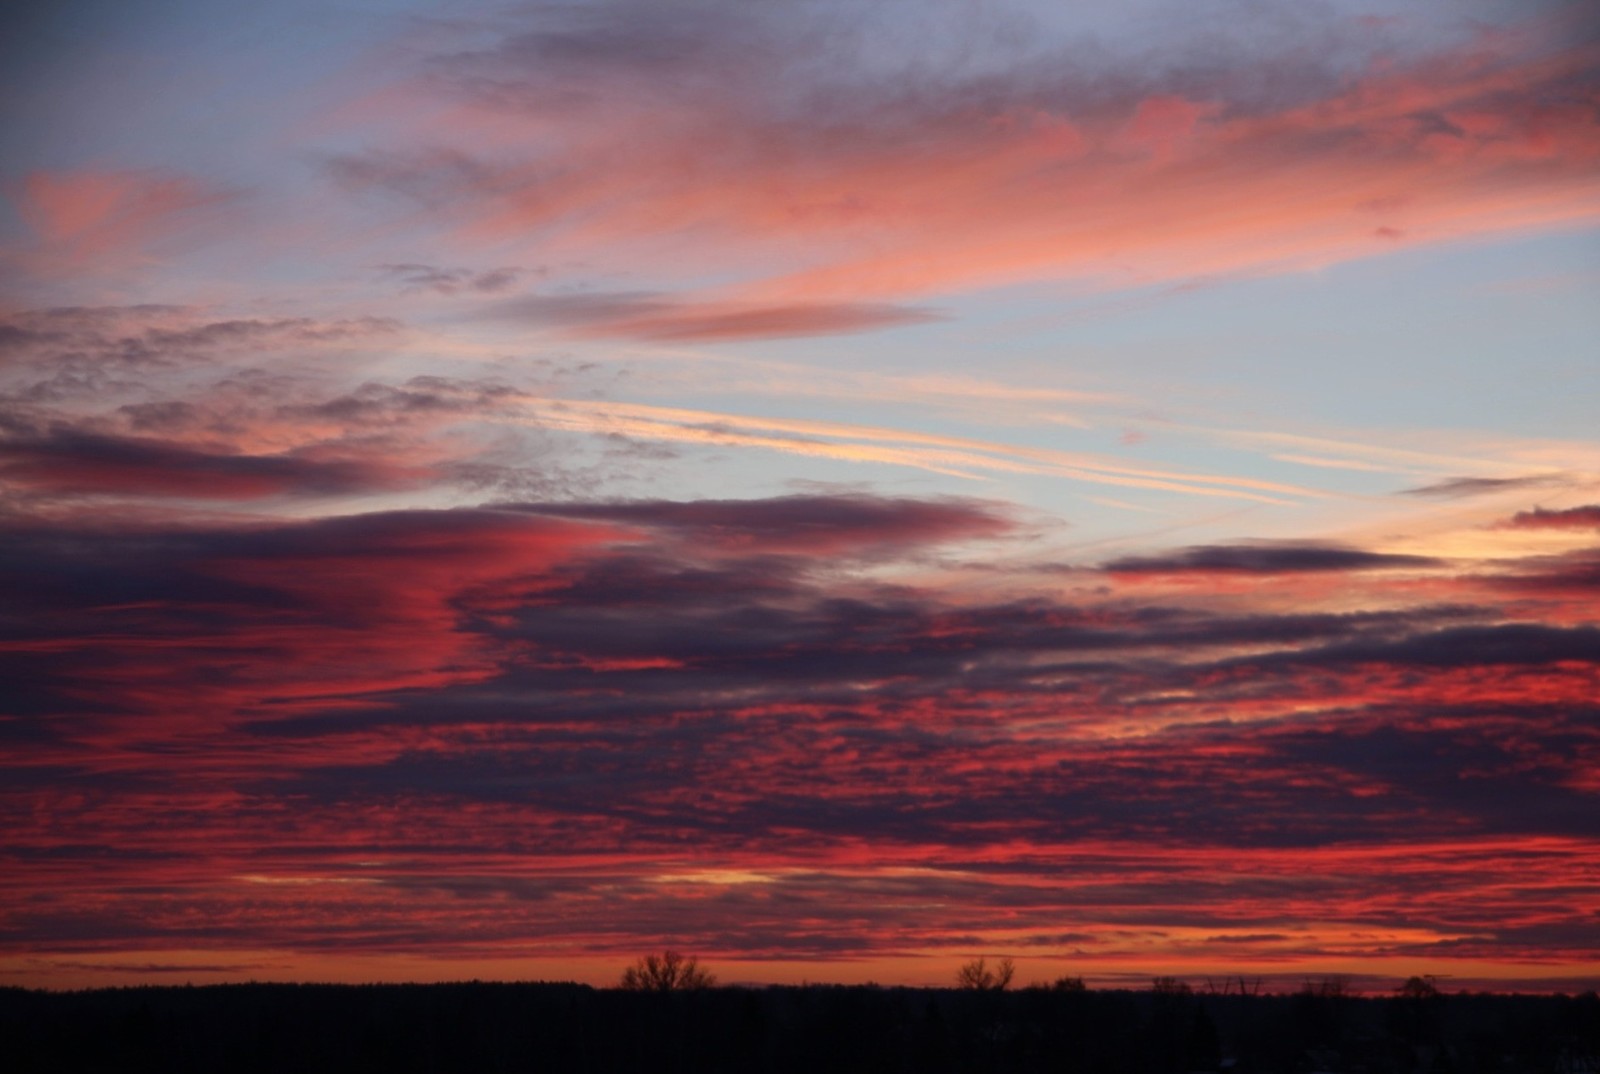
(188, 620)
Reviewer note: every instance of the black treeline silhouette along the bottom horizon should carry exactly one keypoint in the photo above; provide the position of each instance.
(580, 1030)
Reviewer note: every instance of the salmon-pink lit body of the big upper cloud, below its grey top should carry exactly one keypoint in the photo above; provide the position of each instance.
(894, 201)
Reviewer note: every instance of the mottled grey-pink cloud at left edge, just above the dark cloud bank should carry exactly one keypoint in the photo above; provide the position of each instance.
(143, 401)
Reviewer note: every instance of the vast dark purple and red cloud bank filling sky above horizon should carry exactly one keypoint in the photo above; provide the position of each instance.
(450, 729)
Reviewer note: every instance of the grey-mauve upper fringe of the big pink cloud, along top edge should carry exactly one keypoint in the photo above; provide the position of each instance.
(833, 66)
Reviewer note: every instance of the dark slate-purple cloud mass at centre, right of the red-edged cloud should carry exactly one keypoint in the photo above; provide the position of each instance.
(668, 636)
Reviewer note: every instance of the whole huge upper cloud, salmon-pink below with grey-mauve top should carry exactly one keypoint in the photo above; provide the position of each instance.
(852, 178)
